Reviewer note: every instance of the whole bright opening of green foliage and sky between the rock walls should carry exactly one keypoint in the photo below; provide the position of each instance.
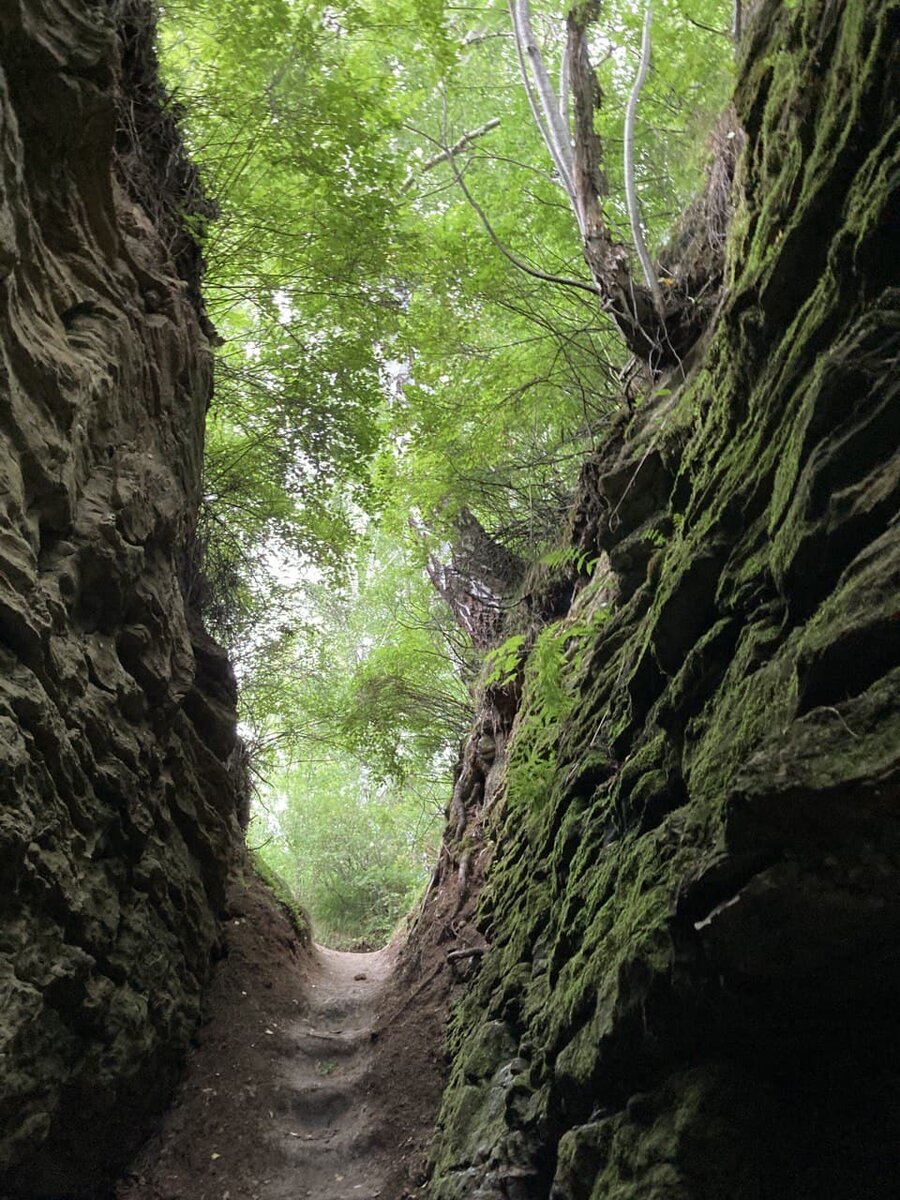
(410, 329)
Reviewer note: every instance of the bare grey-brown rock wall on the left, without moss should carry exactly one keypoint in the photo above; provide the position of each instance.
(117, 712)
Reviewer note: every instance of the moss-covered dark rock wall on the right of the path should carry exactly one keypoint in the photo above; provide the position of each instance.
(693, 913)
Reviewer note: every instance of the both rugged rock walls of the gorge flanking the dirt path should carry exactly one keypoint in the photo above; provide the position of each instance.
(671, 880)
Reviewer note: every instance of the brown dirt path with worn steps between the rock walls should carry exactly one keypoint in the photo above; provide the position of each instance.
(317, 1073)
